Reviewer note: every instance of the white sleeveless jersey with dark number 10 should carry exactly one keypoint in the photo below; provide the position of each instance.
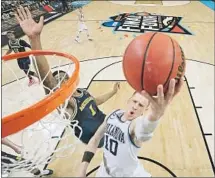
(120, 153)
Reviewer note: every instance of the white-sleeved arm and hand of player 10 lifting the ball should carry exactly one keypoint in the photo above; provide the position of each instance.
(142, 128)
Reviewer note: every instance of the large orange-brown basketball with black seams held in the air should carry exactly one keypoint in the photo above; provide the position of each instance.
(152, 59)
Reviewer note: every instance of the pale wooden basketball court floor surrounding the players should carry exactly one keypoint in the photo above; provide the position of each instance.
(183, 142)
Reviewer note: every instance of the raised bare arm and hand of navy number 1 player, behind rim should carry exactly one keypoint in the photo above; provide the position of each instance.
(33, 31)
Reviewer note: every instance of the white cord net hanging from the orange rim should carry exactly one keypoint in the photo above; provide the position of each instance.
(49, 138)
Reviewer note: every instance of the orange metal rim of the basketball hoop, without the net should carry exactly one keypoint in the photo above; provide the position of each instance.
(24, 118)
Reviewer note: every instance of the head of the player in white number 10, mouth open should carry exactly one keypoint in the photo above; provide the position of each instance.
(136, 105)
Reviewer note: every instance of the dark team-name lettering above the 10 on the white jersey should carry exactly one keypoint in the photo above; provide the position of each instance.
(115, 132)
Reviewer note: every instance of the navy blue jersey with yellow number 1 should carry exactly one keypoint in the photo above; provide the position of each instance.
(89, 116)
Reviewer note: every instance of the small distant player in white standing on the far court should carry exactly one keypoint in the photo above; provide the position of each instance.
(82, 26)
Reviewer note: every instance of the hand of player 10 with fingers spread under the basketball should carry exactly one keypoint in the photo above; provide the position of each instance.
(160, 102)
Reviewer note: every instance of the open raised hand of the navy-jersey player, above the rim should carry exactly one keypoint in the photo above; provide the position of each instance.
(27, 23)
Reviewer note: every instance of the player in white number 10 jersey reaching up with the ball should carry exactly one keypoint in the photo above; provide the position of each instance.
(125, 131)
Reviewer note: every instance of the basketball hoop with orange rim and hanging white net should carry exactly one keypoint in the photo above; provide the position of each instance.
(31, 117)
